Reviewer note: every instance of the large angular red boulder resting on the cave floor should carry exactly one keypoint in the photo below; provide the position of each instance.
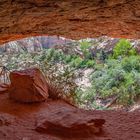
(28, 86)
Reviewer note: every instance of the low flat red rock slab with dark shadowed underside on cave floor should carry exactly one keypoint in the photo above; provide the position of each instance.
(73, 123)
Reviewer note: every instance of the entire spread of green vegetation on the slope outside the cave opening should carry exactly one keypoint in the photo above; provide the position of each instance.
(114, 75)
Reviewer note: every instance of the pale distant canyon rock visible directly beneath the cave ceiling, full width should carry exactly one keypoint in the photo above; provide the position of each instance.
(38, 43)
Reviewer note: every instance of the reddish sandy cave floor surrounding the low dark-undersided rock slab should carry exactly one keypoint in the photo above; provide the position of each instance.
(20, 121)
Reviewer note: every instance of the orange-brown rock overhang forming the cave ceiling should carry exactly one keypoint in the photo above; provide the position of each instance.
(69, 18)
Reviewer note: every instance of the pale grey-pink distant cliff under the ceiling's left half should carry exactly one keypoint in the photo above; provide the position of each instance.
(33, 44)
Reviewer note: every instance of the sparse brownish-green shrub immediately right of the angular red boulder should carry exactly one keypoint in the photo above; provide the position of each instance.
(62, 79)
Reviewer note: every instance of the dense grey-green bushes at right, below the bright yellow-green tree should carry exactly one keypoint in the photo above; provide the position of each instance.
(119, 78)
